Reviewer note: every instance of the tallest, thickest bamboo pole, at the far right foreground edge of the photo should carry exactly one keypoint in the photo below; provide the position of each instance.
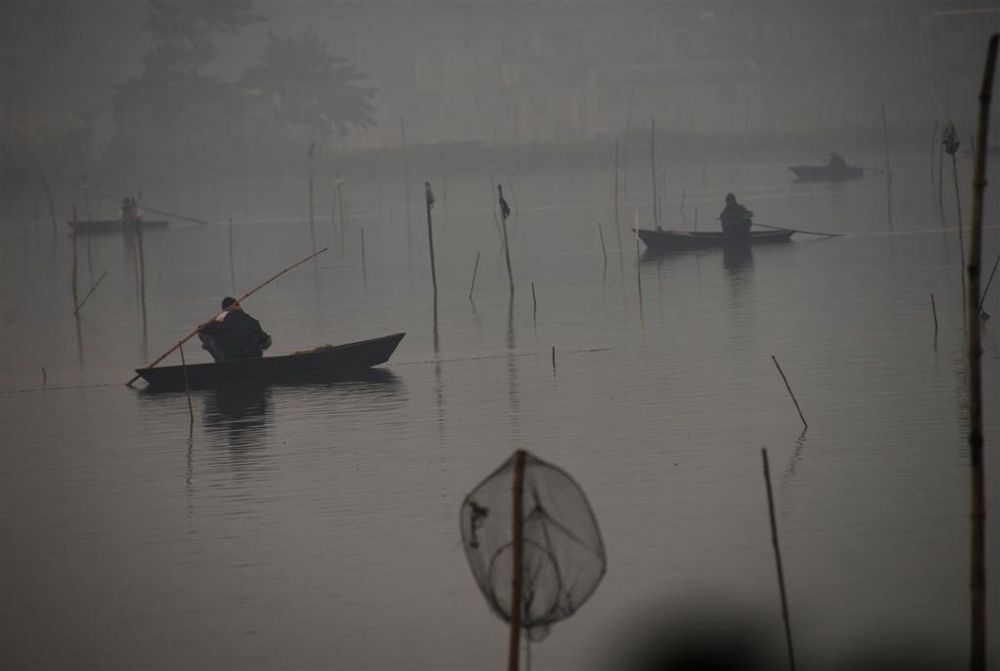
(977, 578)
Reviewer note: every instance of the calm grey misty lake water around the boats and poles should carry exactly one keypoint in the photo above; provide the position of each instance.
(318, 526)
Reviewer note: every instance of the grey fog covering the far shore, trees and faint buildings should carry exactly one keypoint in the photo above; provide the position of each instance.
(81, 93)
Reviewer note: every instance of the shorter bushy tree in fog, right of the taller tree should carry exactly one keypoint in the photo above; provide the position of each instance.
(310, 87)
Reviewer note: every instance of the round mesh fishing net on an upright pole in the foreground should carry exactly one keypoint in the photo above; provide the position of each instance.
(563, 557)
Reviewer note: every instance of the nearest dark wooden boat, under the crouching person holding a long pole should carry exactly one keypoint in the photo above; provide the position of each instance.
(323, 363)
